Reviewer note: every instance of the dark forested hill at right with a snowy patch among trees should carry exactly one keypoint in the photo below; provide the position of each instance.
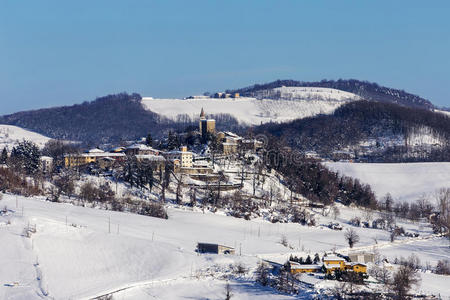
(395, 131)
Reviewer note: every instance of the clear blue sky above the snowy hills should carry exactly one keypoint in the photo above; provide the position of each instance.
(64, 52)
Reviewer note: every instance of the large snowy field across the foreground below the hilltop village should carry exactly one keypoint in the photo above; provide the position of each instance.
(80, 253)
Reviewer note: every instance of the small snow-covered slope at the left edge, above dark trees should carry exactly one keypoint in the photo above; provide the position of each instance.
(11, 135)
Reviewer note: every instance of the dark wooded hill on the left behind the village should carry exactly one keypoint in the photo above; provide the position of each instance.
(108, 119)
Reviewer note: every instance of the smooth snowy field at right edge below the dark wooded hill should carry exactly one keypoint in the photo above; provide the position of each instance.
(405, 182)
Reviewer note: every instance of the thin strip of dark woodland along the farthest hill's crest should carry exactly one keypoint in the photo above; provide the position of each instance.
(364, 89)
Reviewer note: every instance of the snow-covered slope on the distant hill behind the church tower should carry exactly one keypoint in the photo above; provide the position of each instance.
(291, 103)
